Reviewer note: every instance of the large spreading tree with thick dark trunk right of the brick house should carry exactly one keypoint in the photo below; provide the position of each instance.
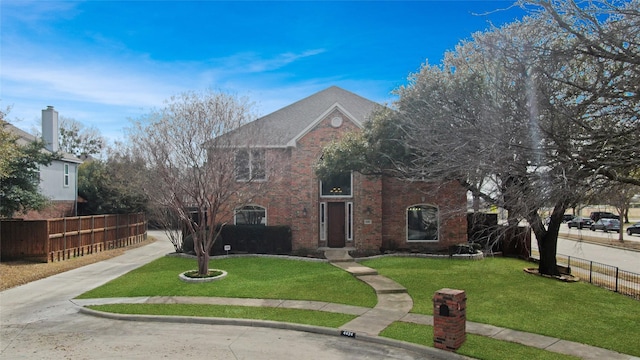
(516, 116)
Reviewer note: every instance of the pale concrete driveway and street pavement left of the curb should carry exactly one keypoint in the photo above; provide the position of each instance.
(38, 321)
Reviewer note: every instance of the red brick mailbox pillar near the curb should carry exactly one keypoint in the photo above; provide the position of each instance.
(449, 319)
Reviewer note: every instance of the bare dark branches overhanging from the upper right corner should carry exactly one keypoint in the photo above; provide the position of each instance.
(602, 48)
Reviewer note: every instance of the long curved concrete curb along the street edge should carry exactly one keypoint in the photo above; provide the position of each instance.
(430, 353)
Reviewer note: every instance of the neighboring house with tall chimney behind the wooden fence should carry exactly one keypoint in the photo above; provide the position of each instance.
(58, 181)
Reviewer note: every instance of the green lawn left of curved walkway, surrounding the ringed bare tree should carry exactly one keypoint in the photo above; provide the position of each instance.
(250, 277)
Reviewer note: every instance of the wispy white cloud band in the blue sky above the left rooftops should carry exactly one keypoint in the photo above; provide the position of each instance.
(103, 84)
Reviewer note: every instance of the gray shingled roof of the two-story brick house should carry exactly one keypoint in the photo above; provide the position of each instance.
(283, 127)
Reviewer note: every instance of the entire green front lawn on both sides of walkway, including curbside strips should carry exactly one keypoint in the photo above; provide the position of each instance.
(498, 293)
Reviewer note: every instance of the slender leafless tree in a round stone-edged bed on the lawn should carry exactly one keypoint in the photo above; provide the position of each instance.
(192, 162)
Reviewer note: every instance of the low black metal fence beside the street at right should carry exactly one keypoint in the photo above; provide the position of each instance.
(603, 275)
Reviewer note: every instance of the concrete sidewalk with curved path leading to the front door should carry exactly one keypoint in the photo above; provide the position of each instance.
(393, 305)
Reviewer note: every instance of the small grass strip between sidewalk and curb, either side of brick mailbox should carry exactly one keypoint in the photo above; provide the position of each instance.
(475, 346)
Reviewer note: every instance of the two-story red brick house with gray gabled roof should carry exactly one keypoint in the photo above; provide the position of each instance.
(366, 213)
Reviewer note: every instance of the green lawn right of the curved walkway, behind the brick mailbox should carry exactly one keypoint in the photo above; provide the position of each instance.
(500, 293)
